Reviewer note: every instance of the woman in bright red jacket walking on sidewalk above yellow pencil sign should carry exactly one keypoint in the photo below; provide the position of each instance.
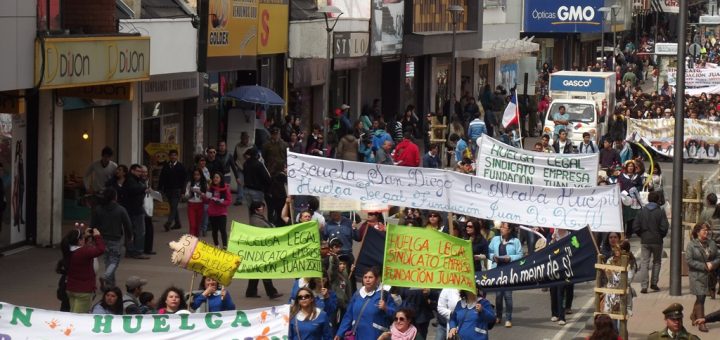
(218, 198)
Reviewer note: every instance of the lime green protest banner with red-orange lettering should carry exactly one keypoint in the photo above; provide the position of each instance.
(425, 258)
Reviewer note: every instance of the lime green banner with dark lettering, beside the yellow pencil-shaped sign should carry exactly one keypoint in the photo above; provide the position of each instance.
(276, 253)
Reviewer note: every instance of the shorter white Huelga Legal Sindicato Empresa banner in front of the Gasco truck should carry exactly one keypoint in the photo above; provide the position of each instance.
(499, 161)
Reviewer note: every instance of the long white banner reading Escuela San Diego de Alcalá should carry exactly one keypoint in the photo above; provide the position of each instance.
(436, 189)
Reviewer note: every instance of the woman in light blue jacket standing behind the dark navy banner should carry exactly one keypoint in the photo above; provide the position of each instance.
(504, 249)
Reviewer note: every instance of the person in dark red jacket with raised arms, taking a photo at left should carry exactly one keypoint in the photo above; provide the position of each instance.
(78, 254)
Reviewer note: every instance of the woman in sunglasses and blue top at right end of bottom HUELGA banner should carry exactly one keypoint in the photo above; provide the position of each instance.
(307, 322)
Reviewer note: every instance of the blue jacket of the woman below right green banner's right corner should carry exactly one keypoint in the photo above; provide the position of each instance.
(470, 323)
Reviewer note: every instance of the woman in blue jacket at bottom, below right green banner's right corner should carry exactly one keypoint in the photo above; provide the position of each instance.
(471, 317)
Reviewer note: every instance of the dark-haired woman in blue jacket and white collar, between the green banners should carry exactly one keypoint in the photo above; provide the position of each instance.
(370, 310)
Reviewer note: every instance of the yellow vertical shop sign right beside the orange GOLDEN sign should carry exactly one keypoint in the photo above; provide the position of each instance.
(272, 28)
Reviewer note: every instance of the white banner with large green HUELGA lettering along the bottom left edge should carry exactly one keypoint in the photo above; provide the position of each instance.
(17, 322)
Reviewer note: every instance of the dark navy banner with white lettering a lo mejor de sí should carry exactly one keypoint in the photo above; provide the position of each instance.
(569, 260)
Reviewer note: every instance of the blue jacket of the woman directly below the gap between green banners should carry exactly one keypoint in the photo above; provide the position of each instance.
(373, 321)
